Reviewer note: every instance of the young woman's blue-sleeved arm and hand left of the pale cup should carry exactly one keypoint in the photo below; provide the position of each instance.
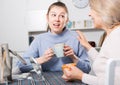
(35, 50)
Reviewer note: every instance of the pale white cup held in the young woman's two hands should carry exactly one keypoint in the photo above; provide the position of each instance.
(58, 49)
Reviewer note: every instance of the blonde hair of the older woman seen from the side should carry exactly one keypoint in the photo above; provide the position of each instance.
(108, 10)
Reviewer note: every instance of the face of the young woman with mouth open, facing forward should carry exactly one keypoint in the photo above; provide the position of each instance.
(57, 19)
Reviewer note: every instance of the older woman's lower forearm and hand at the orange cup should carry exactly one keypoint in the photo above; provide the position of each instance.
(75, 73)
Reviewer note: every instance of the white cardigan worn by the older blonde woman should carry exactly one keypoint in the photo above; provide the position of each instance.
(109, 49)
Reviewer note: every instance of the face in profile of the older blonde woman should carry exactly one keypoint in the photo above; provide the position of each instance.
(97, 20)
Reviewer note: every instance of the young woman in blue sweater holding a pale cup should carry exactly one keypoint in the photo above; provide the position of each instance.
(41, 47)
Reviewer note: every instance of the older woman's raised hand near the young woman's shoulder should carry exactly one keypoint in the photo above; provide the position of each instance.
(83, 40)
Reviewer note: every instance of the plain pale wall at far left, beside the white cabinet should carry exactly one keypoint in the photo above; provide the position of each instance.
(12, 26)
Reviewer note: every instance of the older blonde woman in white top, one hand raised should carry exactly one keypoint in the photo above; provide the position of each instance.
(106, 16)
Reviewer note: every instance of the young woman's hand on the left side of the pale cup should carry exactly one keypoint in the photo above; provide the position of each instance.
(46, 56)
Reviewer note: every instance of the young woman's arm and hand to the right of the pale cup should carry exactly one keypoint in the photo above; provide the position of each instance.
(80, 58)
